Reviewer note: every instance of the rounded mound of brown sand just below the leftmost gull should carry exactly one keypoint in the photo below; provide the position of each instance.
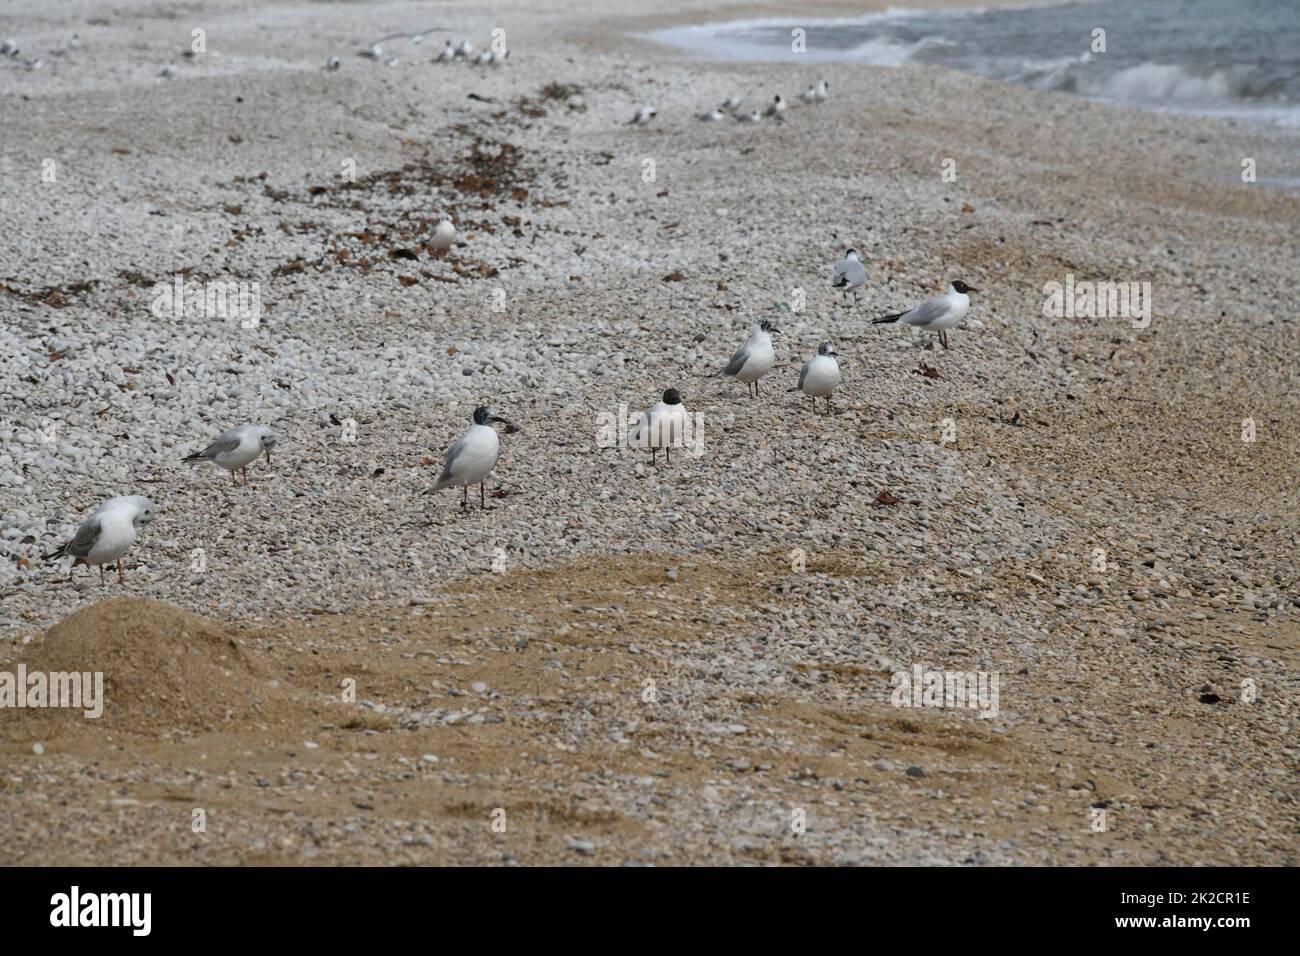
(163, 671)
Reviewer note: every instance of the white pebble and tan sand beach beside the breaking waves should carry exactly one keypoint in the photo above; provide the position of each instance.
(635, 664)
